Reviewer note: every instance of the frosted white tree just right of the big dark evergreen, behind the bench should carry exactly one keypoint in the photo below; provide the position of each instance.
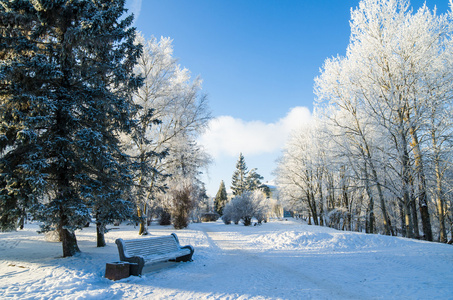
(172, 112)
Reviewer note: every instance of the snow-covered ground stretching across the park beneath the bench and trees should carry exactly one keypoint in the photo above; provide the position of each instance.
(278, 260)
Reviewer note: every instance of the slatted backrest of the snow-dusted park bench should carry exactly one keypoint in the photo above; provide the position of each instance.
(150, 246)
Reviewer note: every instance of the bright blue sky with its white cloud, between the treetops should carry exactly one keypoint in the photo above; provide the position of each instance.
(258, 60)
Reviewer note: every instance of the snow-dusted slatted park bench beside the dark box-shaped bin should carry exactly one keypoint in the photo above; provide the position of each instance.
(152, 250)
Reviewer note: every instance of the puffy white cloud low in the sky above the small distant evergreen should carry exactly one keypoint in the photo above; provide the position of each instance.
(228, 136)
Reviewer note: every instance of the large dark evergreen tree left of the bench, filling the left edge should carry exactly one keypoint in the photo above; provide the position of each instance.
(65, 80)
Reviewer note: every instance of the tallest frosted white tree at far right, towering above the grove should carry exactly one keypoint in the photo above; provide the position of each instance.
(394, 66)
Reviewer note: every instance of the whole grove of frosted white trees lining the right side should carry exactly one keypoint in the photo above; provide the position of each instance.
(377, 154)
